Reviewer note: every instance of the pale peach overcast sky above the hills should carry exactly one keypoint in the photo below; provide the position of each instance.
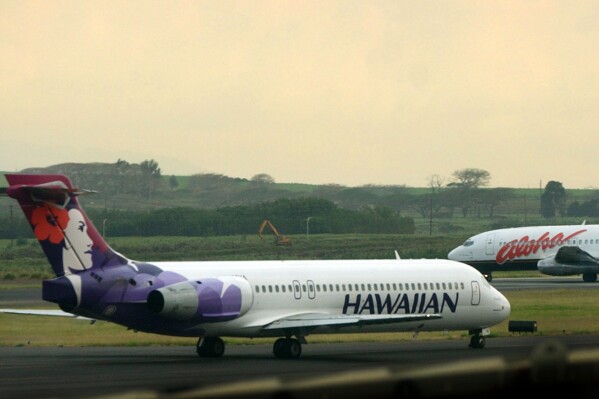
(345, 92)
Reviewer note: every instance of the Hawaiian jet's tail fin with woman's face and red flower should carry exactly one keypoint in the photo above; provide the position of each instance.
(69, 239)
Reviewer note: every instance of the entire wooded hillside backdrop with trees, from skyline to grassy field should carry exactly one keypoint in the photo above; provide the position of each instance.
(135, 199)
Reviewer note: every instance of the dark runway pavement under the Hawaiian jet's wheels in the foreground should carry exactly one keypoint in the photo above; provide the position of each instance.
(54, 372)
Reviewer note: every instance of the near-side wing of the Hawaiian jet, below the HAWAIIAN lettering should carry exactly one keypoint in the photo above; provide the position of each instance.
(312, 320)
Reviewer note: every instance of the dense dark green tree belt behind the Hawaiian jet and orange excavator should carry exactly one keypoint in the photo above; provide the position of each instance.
(290, 216)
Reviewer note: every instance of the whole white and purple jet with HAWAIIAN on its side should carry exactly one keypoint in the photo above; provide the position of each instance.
(213, 299)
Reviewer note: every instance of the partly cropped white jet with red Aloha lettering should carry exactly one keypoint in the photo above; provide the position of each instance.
(552, 250)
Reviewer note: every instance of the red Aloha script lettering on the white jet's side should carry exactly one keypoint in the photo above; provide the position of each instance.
(525, 246)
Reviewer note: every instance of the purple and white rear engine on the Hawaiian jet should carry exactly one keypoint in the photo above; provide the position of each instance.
(210, 299)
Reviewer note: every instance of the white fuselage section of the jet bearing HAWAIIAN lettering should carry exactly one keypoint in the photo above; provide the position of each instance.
(332, 288)
